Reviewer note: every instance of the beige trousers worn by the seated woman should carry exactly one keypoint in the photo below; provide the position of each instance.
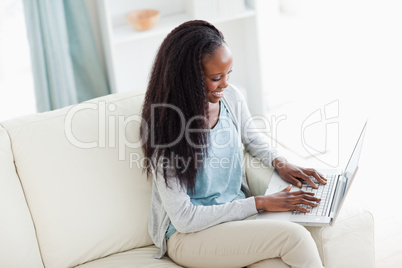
(245, 243)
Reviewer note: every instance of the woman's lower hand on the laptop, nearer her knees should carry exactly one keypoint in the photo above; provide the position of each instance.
(286, 201)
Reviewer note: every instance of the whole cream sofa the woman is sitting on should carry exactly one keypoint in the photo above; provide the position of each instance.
(73, 194)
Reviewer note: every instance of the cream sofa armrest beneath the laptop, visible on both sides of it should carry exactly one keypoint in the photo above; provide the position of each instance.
(348, 243)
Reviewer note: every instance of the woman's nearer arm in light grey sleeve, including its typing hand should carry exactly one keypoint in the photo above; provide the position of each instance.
(188, 218)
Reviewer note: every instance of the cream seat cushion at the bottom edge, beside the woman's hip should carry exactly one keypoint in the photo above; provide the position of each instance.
(139, 257)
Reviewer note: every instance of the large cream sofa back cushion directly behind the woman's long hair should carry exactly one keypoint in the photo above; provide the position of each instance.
(80, 168)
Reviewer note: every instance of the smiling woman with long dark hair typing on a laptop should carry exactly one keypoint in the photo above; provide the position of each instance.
(196, 124)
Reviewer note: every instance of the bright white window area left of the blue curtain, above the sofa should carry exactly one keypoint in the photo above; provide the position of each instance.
(17, 95)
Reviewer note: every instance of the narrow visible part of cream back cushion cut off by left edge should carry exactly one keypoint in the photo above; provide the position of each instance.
(18, 244)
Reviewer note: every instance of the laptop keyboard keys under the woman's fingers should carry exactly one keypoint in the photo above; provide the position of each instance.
(323, 192)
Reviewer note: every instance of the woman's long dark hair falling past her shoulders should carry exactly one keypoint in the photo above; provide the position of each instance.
(177, 80)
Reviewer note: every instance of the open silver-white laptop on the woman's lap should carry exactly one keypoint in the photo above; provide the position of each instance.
(332, 194)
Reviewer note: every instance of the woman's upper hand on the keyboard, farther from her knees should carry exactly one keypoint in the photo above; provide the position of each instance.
(294, 174)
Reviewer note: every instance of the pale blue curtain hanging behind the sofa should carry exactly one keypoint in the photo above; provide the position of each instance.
(65, 61)
